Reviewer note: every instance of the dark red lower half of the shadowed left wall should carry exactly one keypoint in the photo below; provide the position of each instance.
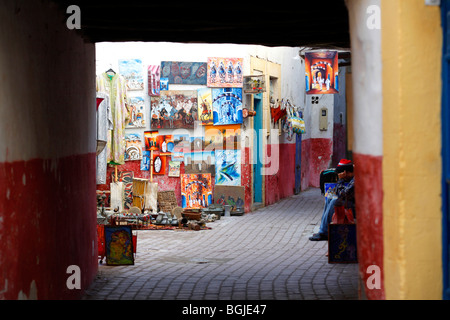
(47, 223)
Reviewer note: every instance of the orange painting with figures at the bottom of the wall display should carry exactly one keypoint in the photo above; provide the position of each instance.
(196, 191)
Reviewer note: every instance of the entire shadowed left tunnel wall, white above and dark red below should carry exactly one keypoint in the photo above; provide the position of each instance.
(47, 154)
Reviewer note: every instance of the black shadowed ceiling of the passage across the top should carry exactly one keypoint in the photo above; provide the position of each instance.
(321, 24)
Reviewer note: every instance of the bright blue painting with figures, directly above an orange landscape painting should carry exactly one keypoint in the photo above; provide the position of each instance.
(227, 106)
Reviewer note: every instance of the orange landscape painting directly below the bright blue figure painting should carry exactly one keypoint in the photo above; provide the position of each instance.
(223, 137)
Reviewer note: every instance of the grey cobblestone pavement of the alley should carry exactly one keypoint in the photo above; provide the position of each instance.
(262, 255)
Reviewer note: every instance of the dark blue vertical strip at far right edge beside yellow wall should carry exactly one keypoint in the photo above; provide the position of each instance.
(445, 11)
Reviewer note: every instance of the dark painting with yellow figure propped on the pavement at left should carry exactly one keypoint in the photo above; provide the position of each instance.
(119, 245)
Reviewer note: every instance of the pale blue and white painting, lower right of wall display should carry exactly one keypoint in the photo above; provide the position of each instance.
(228, 167)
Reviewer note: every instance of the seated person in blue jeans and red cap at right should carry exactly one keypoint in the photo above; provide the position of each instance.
(343, 194)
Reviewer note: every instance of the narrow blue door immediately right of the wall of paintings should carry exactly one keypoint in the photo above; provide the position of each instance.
(257, 149)
